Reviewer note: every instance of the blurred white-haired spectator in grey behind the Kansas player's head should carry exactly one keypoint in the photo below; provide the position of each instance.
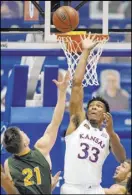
(110, 90)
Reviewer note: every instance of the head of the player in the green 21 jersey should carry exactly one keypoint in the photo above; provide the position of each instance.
(15, 140)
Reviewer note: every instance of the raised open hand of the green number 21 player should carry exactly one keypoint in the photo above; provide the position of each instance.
(62, 85)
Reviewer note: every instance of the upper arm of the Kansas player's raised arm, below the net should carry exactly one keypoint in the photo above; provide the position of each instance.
(76, 100)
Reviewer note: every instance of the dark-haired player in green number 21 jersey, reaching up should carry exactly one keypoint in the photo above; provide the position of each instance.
(30, 169)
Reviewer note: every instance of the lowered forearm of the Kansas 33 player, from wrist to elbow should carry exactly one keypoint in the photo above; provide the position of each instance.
(117, 148)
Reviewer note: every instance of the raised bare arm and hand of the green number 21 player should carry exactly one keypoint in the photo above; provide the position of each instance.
(46, 142)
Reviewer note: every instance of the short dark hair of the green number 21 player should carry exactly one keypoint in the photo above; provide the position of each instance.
(12, 140)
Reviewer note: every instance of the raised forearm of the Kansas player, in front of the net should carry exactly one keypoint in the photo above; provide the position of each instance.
(81, 67)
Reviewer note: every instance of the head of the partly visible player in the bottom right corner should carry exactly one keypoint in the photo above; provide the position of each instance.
(123, 171)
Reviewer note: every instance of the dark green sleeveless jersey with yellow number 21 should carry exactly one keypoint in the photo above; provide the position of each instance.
(30, 173)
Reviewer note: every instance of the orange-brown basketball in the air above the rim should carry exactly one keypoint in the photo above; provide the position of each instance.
(65, 19)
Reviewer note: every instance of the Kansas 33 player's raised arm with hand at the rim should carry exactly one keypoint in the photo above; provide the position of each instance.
(76, 100)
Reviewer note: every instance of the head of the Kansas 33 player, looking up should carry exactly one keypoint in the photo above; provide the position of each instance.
(96, 108)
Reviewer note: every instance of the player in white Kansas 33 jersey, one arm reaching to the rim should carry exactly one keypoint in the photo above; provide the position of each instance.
(87, 142)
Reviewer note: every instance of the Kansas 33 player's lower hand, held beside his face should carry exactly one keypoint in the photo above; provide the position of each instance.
(108, 123)
